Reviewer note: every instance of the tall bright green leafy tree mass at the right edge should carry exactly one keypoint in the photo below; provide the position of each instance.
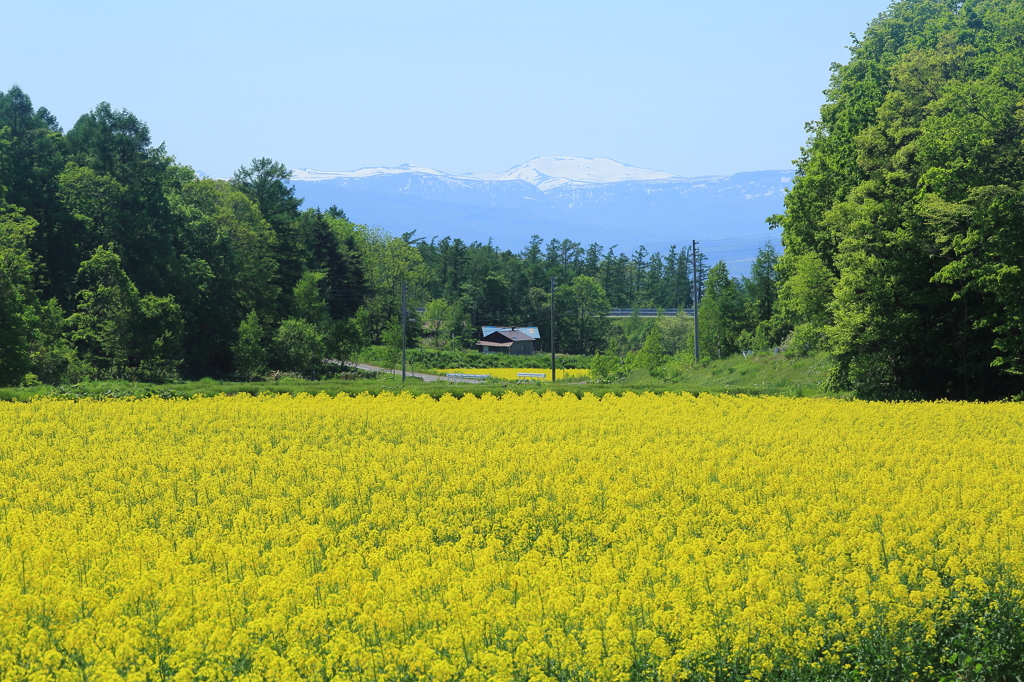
(905, 231)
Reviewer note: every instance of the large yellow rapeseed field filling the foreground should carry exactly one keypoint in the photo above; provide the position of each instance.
(532, 537)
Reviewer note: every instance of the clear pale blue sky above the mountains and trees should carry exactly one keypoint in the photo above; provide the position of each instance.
(693, 89)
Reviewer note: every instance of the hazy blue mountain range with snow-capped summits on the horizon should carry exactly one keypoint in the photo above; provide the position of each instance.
(584, 200)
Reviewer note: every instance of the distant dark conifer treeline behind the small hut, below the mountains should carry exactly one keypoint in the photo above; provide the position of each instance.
(473, 285)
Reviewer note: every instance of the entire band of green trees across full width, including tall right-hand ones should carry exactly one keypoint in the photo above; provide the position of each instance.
(904, 245)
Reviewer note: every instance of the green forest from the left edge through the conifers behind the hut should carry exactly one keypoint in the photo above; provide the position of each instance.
(116, 262)
